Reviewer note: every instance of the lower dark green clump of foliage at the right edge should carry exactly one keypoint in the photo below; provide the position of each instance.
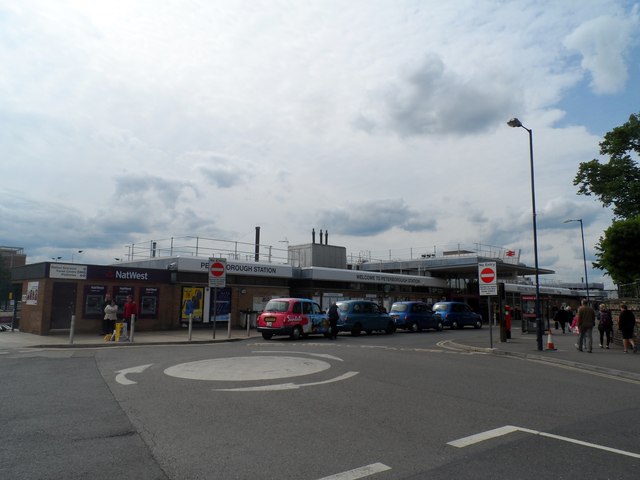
(618, 251)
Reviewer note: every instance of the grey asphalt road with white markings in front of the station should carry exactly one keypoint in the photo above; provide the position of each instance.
(403, 406)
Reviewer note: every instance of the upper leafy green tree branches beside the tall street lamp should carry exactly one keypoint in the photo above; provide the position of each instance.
(616, 183)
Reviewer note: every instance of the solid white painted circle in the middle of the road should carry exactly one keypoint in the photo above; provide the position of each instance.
(247, 368)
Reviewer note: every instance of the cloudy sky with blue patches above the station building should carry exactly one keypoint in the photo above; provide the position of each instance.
(381, 121)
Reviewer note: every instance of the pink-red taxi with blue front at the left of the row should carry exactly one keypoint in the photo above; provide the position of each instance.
(295, 317)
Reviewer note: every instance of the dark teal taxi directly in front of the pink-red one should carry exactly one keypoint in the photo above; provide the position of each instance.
(363, 315)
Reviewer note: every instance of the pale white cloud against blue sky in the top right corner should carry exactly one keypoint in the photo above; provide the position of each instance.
(603, 43)
